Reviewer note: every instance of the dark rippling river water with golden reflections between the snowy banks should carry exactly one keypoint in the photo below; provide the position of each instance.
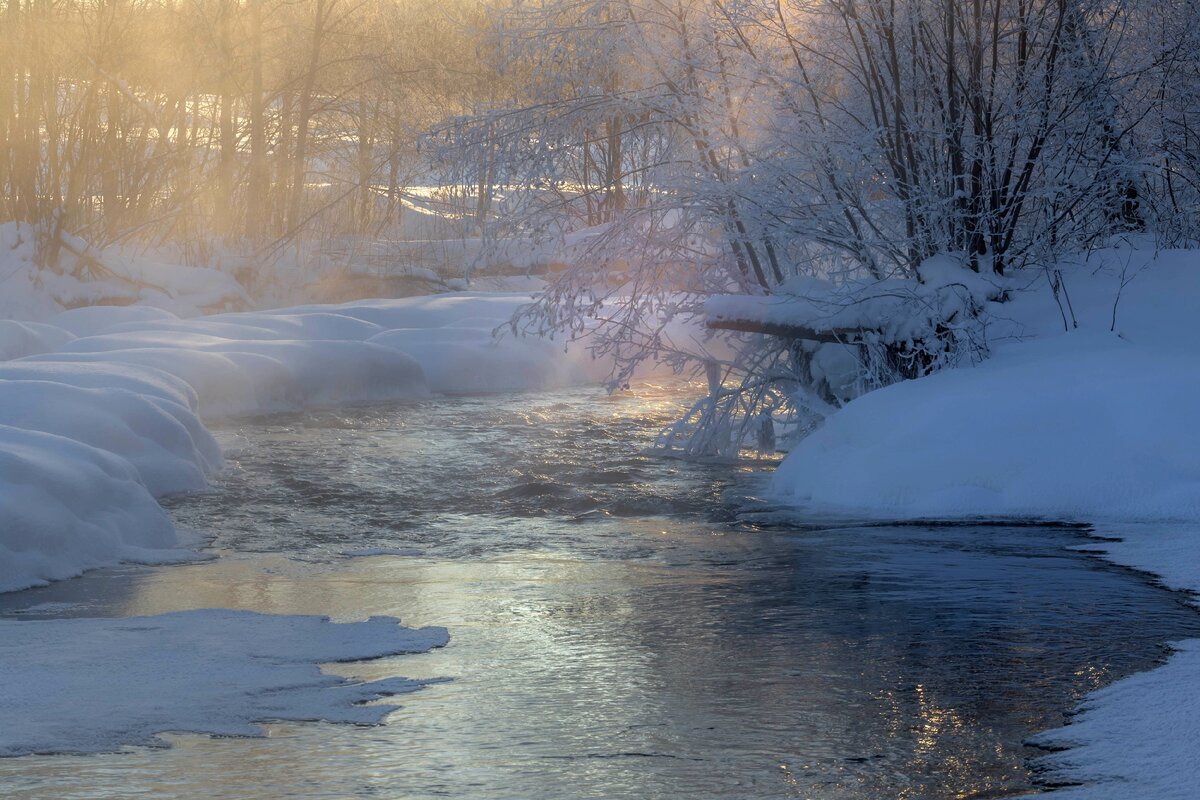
(616, 631)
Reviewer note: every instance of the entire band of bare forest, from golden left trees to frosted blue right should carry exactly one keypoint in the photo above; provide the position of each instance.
(651, 154)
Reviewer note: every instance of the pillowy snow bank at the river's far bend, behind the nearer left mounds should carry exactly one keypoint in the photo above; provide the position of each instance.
(328, 354)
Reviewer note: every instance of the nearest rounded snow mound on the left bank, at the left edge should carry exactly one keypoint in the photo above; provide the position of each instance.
(68, 507)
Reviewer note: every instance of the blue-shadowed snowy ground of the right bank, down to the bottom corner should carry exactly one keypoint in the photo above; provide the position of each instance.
(1096, 425)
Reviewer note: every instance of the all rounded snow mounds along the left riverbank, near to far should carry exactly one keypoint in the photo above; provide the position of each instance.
(104, 413)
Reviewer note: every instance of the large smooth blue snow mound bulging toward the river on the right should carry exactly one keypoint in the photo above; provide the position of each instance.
(1082, 426)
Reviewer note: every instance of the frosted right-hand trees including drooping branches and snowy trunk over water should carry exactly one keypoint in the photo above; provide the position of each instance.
(881, 176)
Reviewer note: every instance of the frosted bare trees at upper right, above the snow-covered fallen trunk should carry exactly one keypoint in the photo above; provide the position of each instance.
(735, 146)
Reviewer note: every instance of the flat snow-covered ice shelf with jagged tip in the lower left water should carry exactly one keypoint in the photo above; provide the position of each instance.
(98, 685)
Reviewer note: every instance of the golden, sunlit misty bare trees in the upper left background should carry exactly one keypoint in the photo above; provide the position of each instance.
(214, 124)
